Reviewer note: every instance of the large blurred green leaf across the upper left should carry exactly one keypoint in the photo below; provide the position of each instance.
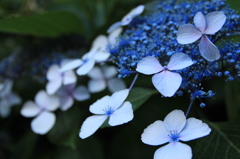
(48, 24)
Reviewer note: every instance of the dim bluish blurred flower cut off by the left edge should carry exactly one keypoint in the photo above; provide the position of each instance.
(7, 98)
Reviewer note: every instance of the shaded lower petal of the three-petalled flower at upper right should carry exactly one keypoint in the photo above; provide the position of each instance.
(208, 50)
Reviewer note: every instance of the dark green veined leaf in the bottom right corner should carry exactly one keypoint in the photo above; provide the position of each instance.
(223, 142)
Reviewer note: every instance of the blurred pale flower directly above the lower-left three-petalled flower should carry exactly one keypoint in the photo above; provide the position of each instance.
(57, 78)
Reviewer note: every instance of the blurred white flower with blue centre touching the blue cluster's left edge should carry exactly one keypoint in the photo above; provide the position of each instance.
(97, 53)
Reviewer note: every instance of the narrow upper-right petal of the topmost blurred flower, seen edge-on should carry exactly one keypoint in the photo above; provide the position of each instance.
(133, 13)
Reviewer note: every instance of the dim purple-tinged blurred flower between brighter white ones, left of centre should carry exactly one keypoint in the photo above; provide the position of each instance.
(68, 93)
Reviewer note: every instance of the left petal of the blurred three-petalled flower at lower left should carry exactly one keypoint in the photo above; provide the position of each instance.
(30, 109)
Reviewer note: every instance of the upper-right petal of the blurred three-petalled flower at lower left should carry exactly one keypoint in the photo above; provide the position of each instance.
(45, 101)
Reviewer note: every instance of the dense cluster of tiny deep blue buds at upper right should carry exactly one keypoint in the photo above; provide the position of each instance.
(155, 34)
